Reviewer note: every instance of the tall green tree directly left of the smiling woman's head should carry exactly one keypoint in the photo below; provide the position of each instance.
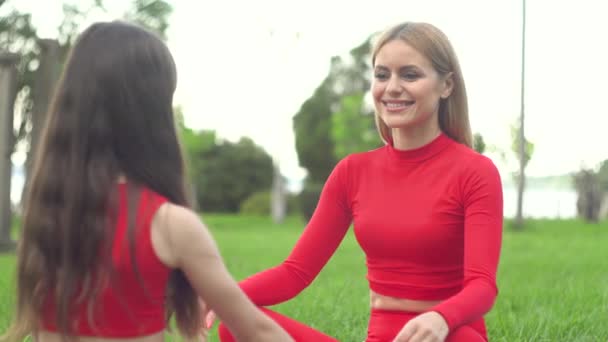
(313, 124)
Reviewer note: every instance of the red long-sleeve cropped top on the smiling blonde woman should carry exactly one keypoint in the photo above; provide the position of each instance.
(429, 221)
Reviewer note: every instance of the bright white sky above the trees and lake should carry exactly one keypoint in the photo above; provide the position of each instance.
(246, 66)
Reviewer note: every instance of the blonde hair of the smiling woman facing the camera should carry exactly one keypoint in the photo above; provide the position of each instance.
(434, 45)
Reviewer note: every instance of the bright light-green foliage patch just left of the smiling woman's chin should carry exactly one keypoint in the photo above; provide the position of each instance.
(353, 129)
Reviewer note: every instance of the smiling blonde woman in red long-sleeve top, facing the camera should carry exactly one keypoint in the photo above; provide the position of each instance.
(426, 208)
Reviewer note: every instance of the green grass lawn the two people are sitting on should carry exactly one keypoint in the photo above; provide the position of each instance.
(553, 279)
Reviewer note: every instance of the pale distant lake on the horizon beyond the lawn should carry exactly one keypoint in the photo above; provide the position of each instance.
(538, 202)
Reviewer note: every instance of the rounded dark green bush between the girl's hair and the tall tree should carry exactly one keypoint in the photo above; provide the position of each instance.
(227, 173)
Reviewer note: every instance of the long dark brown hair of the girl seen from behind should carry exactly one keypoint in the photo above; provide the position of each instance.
(111, 115)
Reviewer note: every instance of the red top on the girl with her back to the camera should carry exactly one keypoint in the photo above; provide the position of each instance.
(124, 308)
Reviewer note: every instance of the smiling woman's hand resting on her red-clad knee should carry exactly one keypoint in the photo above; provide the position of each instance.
(427, 327)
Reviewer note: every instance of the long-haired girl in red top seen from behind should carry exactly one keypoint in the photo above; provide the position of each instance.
(110, 249)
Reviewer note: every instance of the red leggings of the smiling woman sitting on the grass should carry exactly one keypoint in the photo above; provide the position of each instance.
(383, 326)
